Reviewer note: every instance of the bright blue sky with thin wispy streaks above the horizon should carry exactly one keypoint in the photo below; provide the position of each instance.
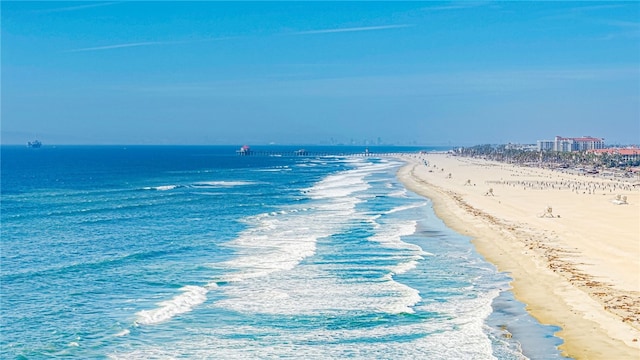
(438, 73)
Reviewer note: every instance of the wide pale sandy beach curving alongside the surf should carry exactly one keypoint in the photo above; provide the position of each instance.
(570, 242)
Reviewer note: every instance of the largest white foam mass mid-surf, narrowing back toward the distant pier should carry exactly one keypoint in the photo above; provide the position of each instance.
(266, 277)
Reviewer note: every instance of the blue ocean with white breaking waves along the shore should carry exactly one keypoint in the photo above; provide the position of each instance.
(196, 252)
